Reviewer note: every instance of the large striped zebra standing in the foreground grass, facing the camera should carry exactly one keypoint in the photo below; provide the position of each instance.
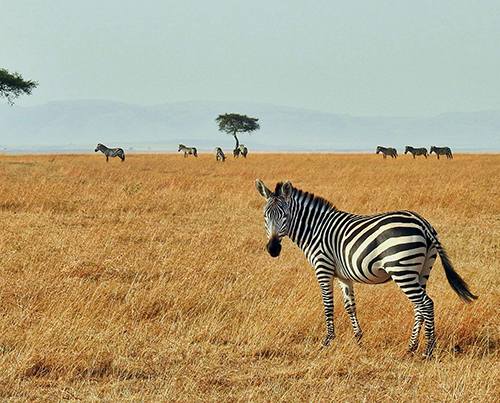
(399, 245)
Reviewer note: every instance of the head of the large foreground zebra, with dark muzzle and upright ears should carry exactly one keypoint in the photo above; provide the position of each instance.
(276, 213)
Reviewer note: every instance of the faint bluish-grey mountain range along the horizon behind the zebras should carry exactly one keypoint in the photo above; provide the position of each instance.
(79, 125)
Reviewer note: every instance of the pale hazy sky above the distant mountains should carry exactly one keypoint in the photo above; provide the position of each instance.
(358, 57)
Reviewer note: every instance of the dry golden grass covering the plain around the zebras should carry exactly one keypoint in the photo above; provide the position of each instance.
(149, 280)
